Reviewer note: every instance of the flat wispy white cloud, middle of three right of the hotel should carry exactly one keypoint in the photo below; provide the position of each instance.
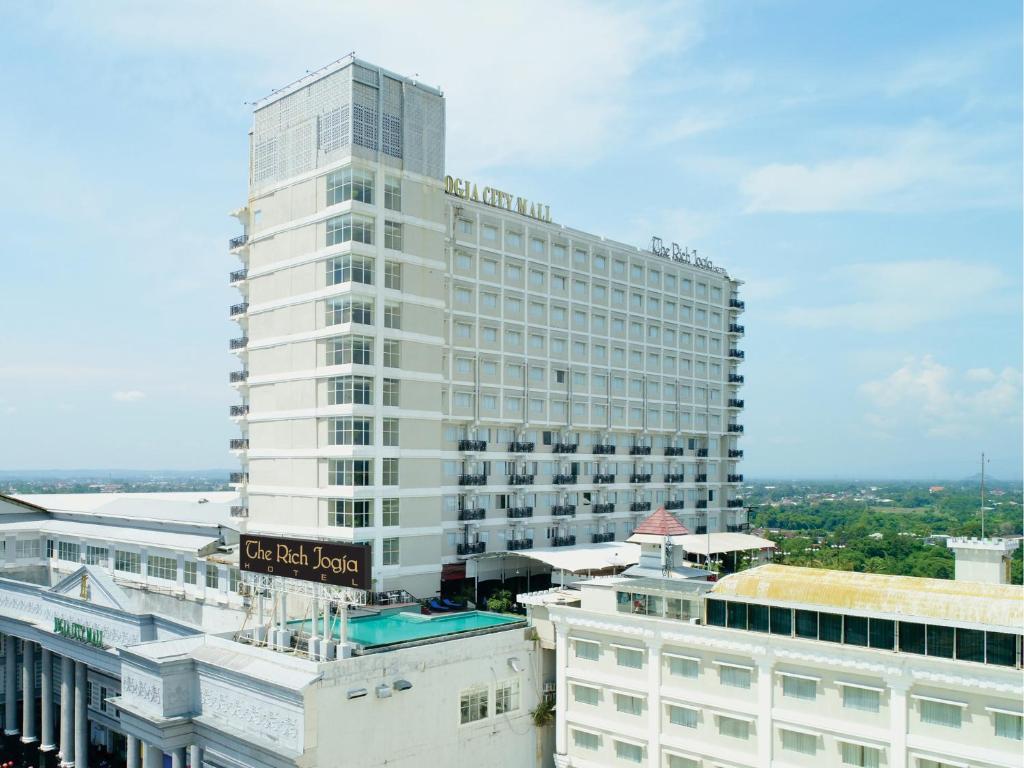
(899, 295)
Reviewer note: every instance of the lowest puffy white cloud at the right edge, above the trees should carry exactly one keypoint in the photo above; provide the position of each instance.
(938, 402)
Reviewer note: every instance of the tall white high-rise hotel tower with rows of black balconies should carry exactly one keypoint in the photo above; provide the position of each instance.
(433, 366)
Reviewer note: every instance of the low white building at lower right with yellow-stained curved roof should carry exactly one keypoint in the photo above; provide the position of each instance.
(786, 667)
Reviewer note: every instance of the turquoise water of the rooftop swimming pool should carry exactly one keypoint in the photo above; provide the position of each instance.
(390, 629)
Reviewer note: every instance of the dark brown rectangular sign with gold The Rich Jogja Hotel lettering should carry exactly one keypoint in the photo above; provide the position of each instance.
(308, 561)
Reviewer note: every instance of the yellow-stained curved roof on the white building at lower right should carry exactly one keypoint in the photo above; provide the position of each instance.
(995, 606)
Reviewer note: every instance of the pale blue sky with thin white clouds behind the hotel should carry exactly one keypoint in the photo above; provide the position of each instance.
(859, 164)
